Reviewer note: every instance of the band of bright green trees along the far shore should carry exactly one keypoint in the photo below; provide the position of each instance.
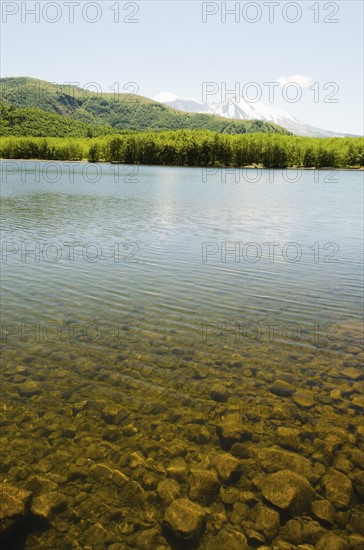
(194, 148)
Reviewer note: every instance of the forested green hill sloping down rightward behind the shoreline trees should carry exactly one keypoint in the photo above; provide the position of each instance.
(117, 111)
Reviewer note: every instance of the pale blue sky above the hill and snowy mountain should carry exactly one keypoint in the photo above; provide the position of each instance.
(171, 49)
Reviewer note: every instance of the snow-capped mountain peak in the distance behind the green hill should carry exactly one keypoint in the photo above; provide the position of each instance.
(244, 110)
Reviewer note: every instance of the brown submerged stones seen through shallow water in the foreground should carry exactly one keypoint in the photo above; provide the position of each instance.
(168, 445)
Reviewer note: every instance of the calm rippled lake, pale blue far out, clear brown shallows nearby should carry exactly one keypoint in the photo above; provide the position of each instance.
(156, 317)
